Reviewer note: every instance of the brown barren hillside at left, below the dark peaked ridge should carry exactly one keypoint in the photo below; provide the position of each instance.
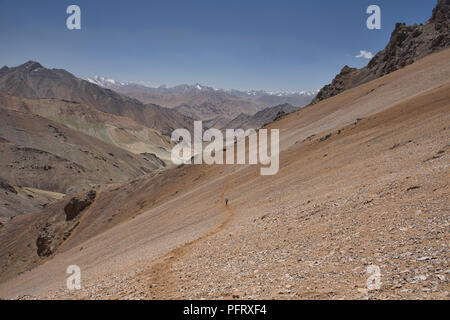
(49, 157)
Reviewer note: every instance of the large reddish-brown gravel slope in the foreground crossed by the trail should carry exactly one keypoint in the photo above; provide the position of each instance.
(363, 180)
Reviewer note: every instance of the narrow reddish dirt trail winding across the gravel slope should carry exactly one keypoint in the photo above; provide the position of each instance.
(162, 281)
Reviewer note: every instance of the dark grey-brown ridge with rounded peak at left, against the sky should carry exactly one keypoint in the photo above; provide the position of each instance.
(32, 80)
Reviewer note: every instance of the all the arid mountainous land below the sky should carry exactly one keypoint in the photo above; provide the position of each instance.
(87, 179)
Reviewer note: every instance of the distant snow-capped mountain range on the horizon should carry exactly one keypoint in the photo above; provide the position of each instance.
(217, 106)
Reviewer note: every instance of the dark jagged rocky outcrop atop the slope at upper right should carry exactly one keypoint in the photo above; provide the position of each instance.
(406, 45)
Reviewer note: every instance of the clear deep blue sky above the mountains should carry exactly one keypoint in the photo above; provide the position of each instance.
(229, 44)
